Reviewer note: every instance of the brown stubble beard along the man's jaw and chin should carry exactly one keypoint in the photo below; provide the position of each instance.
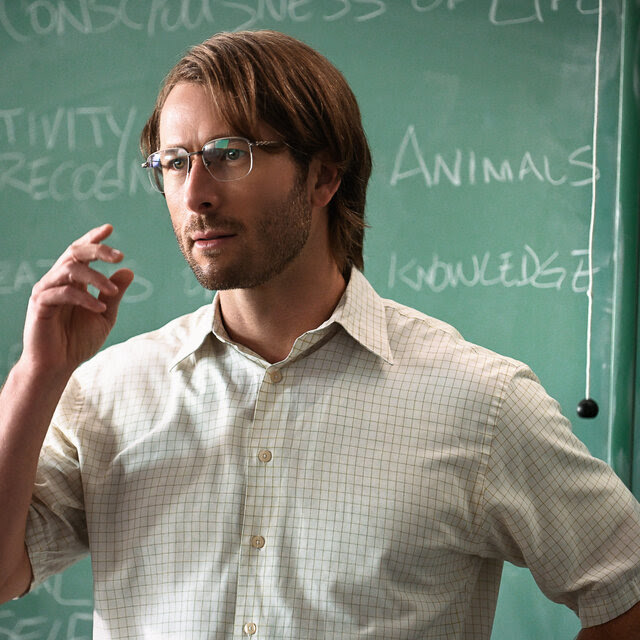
(283, 231)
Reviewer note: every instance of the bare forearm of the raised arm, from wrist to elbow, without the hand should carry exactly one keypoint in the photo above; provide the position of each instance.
(27, 403)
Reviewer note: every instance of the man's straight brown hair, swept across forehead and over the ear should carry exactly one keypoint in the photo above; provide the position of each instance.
(268, 77)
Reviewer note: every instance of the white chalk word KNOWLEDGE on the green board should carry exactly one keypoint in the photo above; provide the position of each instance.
(524, 268)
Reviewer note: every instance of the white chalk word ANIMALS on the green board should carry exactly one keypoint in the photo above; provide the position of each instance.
(471, 168)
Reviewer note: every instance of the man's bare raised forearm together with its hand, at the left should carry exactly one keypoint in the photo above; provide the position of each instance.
(65, 325)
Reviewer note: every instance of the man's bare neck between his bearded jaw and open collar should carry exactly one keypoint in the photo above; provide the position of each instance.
(269, 318)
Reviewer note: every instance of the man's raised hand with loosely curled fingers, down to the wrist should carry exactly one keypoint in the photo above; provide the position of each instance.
(65, 323)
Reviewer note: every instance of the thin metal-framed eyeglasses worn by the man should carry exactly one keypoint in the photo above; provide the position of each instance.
(226, 159)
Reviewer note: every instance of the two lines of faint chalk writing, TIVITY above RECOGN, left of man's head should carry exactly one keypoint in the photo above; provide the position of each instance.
(53, 169)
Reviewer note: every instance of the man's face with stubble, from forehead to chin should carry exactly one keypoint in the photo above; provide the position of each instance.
(236, 234)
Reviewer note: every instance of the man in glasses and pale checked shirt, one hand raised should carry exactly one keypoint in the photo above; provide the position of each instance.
(301, 459)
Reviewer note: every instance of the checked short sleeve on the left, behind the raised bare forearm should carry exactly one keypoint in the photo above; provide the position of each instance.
(56, 526)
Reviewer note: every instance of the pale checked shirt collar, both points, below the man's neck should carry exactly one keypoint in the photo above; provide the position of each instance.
(360, 312)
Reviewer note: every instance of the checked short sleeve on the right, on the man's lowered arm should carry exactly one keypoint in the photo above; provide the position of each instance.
(552, 507)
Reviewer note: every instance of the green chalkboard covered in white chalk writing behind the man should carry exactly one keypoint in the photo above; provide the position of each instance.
(480, 116)
